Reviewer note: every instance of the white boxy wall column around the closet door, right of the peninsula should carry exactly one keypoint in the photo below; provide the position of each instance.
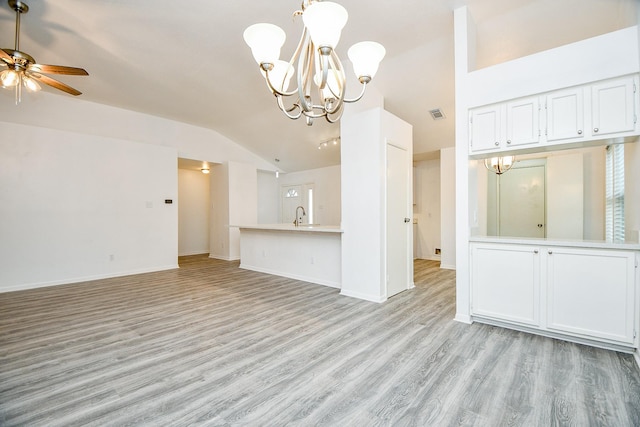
(363, 152)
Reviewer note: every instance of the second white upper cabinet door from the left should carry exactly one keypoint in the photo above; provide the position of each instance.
(523, 121)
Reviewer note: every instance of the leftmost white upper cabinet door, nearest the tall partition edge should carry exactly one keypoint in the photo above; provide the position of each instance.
(485, 124)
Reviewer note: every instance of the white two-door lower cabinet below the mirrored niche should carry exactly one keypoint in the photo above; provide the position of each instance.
(585, 293)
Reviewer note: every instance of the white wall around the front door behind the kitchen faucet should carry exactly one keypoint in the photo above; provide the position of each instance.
(326, 192)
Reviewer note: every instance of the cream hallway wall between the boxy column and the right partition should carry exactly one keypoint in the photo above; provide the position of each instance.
(426, 209)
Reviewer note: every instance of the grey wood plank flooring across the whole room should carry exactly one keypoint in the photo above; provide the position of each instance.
(210, 344)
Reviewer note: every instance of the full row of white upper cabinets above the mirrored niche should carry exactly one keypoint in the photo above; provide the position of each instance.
(596, 111)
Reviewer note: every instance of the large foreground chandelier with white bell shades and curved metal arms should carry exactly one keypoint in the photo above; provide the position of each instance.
(320, 76)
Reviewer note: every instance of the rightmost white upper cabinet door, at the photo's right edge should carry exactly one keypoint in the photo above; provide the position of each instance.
(613, 109)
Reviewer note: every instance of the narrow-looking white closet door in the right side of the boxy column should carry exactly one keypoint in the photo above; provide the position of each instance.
(398, 220)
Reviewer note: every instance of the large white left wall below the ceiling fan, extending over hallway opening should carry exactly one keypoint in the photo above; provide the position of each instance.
(75, 175)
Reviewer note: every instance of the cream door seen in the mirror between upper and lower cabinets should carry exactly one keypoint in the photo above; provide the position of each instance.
(521, 202)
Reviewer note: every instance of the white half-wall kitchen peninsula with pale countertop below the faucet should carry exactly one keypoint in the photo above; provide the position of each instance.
(311, 253)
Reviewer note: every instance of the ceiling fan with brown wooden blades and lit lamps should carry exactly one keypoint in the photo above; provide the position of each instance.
(23, 71)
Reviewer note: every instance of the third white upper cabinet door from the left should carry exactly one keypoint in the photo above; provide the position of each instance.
(565, 114)
